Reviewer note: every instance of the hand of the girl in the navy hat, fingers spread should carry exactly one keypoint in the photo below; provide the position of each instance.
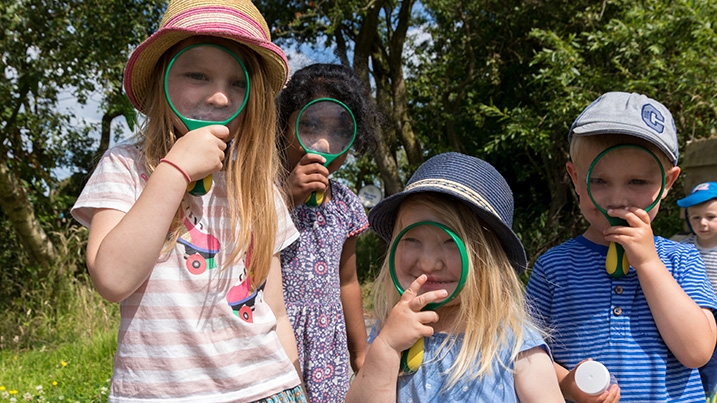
(407, 323)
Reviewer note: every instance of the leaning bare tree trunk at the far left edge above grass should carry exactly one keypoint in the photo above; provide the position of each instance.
(17, 206)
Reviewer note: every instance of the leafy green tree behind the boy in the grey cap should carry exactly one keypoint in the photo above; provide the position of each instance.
(508, 78)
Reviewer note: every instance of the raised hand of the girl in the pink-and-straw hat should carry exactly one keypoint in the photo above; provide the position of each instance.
(200, 152)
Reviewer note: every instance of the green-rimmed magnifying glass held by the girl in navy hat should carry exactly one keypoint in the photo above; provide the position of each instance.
(427, 243)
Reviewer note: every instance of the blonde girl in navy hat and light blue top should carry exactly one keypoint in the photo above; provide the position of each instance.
(480, 346)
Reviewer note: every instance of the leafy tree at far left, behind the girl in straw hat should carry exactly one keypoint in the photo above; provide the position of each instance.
(49, 47)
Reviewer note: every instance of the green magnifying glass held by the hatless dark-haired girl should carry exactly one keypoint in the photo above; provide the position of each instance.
(327, 127)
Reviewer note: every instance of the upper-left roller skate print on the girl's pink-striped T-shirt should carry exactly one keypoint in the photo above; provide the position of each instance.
(200, 247)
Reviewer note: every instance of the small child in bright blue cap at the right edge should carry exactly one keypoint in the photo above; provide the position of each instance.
(701, 218)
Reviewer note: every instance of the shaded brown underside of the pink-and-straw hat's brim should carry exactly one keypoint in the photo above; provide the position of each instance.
(139, 72)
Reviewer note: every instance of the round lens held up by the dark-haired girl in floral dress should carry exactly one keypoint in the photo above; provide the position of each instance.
(326, 127)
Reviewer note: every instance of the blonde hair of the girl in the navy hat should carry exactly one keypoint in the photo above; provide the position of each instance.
(492, 307)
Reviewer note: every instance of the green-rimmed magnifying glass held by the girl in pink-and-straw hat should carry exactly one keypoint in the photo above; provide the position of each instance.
(206, 84)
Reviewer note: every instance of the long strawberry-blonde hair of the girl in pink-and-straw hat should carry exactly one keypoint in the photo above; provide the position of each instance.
(251, 163)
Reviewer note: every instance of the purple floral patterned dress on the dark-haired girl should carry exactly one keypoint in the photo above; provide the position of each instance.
(312, 292)
